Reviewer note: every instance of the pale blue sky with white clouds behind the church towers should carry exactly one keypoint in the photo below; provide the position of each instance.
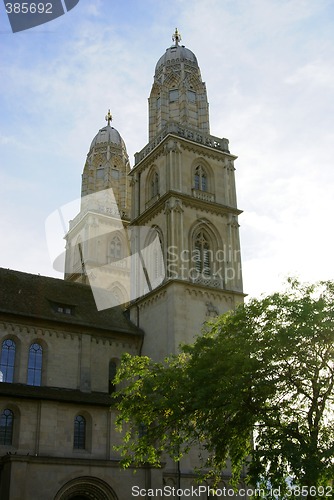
(268, 67)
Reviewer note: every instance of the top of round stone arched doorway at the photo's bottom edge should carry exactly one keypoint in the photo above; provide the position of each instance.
(86, 488)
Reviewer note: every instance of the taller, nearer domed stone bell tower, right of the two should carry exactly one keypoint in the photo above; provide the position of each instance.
(183, 185)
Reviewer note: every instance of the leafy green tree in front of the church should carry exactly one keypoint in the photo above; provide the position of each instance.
(256, 386)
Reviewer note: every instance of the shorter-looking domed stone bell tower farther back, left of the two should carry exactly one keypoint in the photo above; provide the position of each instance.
(97, 238)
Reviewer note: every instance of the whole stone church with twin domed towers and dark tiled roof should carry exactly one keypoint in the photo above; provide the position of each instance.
(152, 255)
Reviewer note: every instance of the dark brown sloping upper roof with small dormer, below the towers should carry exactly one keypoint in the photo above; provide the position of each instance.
(36, 296)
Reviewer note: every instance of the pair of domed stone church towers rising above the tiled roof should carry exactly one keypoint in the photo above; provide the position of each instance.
(162, 237)
